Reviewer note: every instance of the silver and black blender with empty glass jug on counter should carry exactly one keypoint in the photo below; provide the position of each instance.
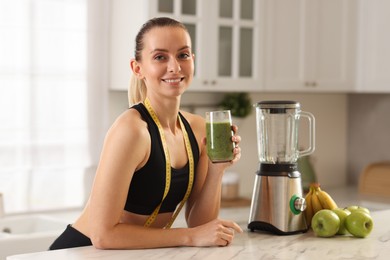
(277, 201)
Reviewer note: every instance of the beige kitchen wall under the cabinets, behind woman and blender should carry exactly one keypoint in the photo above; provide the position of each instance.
(330, 110)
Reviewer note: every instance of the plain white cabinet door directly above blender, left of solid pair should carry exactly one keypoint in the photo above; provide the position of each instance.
(286, 38)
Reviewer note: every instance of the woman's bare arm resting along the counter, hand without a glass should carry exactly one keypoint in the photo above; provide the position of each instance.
(123, 152)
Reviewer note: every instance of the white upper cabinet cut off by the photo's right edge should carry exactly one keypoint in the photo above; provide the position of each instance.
(373, 70)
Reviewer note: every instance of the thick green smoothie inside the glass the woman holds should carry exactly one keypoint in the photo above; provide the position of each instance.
(219, 141)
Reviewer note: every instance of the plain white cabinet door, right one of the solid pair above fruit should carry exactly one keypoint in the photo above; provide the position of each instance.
(332, 57)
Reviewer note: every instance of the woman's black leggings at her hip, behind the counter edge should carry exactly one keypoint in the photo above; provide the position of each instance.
(71, 237)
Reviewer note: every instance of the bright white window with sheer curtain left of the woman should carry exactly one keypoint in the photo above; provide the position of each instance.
(44, 145)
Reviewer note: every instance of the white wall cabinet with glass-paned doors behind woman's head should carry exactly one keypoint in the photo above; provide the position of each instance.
(226, 34)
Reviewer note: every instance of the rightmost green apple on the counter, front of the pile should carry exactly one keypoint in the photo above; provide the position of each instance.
(359, 223)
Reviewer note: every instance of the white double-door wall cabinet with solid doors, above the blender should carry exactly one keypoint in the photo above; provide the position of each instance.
(310, 45)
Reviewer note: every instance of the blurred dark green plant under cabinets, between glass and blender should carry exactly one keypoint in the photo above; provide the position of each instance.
(239, 104)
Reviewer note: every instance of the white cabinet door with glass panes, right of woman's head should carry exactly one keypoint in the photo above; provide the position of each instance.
(236, 44)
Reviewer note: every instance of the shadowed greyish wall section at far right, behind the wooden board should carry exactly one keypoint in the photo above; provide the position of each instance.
(369, 132)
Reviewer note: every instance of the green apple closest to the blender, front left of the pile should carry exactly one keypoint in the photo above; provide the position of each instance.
(325, 223)
